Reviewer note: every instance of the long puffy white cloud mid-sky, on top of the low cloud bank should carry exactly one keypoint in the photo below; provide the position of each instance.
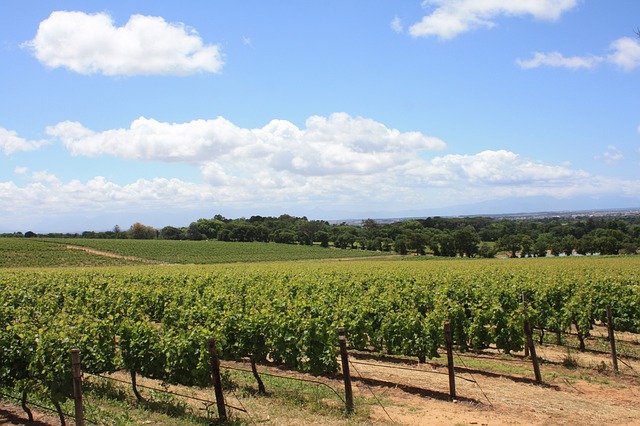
(328, 145)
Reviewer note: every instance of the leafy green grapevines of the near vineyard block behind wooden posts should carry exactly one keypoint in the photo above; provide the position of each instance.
(153, 321)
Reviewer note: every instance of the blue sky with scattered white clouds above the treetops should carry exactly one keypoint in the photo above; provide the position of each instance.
(163, 112)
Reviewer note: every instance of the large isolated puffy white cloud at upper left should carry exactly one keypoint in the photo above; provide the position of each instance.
(145, 45)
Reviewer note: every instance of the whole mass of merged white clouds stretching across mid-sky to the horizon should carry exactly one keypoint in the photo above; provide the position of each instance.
(336, 163)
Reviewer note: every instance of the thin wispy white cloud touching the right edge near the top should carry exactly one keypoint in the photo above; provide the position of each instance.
(625, 54)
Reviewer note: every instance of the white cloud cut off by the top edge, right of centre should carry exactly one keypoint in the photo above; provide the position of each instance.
(449, 18)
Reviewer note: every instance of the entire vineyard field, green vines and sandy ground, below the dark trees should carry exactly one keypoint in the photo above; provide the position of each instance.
(284, 316)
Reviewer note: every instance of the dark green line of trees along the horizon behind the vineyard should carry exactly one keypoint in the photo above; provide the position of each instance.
(438, 236)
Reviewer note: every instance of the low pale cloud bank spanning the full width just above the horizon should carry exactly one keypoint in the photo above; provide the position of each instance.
(418, 184)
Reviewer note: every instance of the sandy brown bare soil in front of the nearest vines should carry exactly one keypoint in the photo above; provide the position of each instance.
(498, 391)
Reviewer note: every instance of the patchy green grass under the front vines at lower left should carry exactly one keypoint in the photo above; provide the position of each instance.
(289, 401)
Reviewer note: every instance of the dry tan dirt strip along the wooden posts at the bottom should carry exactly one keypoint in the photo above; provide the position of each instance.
(415, 396)
